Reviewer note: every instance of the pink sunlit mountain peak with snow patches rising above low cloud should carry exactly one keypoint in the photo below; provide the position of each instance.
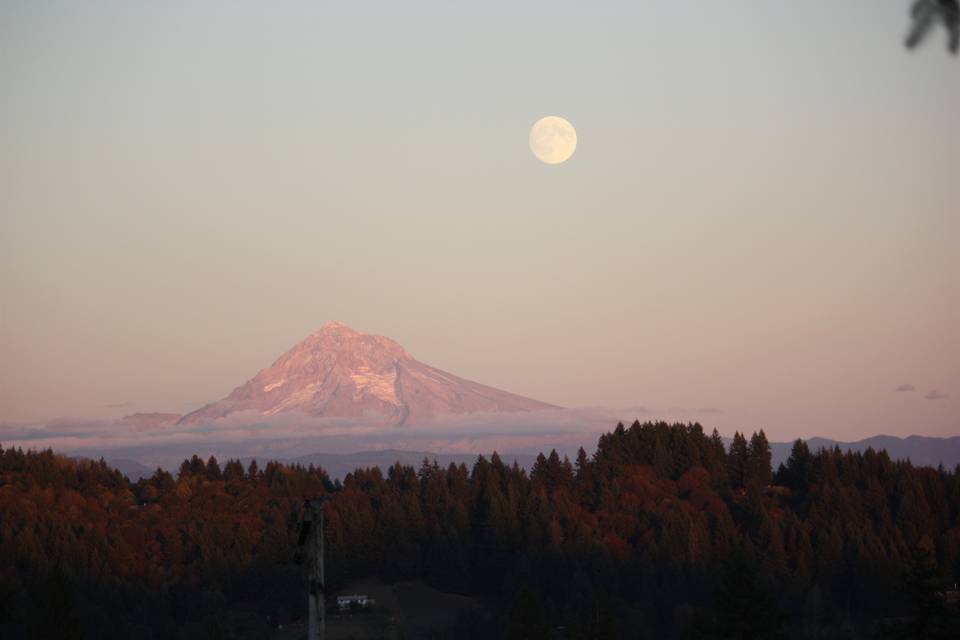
(339, 372)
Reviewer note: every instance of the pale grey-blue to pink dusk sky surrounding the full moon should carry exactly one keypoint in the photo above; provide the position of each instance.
(758, 227)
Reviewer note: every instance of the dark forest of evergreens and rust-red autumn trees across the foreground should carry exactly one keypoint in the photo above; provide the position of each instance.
(662, 533)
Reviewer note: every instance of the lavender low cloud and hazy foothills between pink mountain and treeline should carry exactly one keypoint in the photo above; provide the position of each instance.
(290, 436)
